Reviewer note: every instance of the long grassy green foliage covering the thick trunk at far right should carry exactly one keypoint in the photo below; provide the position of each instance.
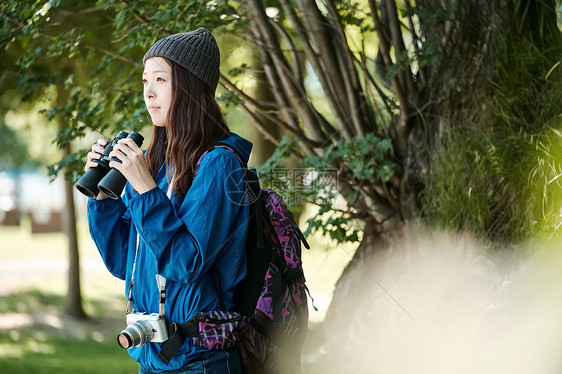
(499, 174)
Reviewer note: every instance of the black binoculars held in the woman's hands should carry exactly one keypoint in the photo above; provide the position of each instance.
(103, 177)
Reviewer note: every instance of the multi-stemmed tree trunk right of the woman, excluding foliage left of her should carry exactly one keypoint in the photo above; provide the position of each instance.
(437, 124)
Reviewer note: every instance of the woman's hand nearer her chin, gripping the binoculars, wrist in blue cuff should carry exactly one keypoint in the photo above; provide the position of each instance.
(133, 165)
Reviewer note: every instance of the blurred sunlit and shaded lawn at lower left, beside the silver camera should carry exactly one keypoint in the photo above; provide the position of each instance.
(36, 337)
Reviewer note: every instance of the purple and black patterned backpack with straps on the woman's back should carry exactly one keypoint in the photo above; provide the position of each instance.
(270, 321)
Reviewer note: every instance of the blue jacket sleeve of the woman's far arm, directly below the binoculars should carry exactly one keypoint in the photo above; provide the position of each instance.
(110, 230)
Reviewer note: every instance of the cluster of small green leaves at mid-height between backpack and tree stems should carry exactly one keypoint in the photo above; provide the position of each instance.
(315, 181)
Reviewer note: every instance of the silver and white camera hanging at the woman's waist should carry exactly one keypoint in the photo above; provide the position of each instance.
(141, 329)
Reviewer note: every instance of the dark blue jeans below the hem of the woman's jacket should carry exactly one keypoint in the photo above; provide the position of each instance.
(220, 362)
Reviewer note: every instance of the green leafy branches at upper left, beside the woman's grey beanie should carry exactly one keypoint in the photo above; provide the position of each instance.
(101, 80)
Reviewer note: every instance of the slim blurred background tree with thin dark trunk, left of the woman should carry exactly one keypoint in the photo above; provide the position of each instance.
(30, 75)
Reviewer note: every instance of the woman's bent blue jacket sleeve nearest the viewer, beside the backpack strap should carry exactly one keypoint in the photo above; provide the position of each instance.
(186, 244)
